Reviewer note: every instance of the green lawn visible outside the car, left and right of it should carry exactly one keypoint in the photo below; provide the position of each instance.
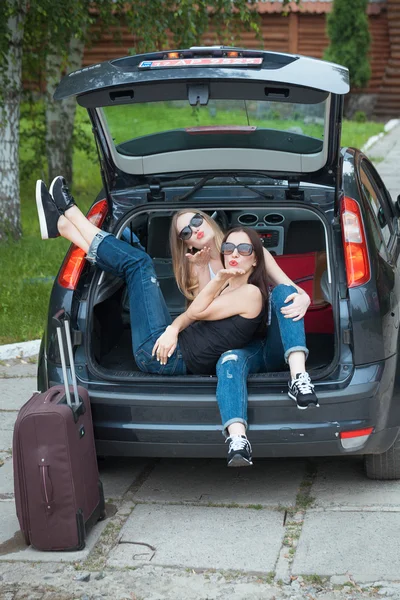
(28, 266)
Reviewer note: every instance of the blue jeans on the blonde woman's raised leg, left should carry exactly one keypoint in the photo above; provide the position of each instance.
(148, 312)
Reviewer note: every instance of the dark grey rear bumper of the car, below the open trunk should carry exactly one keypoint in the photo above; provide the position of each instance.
(184, 421)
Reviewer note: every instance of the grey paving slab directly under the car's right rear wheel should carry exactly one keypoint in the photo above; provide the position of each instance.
(343, 483)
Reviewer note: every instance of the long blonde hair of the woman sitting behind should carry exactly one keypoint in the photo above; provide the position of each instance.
(187, 283)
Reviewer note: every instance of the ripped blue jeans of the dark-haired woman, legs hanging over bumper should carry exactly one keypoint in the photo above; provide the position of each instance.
(283, 337)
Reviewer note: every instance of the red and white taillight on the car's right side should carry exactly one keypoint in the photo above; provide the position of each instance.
(355, 246)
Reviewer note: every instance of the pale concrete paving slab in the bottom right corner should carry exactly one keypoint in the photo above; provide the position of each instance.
(365, 545)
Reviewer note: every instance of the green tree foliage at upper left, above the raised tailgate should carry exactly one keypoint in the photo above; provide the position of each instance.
(51, 28)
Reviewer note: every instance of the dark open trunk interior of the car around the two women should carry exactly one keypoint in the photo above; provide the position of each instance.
(295, 234)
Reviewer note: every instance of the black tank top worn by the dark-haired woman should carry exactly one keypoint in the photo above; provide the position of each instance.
(203, 342)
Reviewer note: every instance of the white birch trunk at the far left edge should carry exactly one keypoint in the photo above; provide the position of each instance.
(10, 83)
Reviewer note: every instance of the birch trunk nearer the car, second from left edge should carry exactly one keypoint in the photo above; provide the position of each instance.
(60, 116)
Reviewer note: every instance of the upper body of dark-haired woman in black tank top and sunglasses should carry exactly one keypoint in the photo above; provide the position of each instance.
(228, 313)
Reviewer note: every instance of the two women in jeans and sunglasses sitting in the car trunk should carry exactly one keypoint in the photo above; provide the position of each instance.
(226, 282)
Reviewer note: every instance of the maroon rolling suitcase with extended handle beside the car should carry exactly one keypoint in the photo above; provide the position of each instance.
(58, 493)
